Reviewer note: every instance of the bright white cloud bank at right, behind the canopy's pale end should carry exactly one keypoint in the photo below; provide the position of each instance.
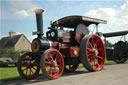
(116, 18)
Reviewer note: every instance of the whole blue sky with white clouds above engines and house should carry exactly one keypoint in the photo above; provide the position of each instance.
(18, 15)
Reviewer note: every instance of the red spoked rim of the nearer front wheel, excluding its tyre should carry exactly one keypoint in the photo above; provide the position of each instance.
(53, 64)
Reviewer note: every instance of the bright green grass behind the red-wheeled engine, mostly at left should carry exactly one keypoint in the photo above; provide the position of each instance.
(11, 73)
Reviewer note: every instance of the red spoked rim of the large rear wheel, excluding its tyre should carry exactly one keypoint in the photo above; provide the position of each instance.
(95, 52)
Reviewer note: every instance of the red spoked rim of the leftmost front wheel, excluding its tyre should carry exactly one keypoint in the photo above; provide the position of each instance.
(29, 67)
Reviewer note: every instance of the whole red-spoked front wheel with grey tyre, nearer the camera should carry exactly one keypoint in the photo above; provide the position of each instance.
(52, 64)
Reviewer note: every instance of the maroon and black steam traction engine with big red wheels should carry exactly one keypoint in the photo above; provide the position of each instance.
(66, 45)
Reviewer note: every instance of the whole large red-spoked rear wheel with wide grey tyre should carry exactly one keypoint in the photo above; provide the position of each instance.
(92, 52)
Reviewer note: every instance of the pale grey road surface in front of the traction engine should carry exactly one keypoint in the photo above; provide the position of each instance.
(113, 74)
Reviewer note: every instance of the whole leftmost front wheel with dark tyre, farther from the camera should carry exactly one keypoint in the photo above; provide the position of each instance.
(28, 65)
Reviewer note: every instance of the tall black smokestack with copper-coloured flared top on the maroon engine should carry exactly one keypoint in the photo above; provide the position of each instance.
(39, 21)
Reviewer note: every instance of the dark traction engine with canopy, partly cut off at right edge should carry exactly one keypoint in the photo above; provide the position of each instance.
(118, 52)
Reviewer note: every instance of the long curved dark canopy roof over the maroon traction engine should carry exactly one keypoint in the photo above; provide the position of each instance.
(73, 21)
